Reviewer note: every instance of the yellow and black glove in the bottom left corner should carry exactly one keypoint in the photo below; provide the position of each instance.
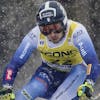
(6, 94)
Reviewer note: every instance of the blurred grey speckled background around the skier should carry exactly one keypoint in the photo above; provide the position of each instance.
(17, 18)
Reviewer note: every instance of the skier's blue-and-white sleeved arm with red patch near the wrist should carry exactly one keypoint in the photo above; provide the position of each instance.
(27, 46)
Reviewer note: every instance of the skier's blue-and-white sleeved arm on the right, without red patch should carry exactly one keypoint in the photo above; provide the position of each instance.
(83, 42)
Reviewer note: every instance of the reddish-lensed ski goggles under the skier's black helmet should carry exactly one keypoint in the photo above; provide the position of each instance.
(55, 28)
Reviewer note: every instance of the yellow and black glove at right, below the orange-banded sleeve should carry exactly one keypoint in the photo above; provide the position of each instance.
(85, 90)
